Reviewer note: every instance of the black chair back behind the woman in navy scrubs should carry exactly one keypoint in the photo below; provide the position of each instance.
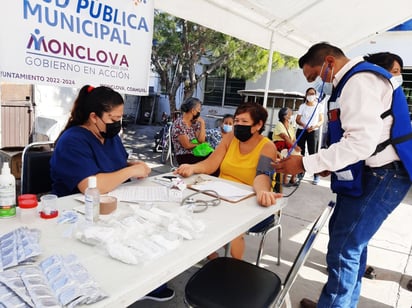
(35, 173)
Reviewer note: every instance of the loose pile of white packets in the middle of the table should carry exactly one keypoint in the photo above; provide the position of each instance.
(143, 236)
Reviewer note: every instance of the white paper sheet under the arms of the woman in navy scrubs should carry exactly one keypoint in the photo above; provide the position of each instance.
(141, 193)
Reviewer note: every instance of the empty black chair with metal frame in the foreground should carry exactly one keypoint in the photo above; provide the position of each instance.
(231, 283)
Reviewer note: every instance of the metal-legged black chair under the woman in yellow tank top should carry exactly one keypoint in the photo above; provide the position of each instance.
(268, 225)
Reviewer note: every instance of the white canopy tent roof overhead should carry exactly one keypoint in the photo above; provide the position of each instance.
(294, 24)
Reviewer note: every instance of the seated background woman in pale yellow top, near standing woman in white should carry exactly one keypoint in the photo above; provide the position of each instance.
(284, 136)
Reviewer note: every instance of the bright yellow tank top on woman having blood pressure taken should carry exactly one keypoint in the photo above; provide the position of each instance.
(239, 167)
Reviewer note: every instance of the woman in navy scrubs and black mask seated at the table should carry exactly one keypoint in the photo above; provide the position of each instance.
(90, 145)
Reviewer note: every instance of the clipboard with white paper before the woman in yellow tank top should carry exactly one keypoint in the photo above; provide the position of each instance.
(226, 191)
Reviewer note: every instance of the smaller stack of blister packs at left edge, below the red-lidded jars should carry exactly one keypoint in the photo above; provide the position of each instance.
(18, 247)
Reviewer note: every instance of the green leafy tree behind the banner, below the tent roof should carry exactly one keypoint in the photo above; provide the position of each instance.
(179, 46)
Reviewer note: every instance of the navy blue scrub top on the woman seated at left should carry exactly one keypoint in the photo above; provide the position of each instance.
(79, 154)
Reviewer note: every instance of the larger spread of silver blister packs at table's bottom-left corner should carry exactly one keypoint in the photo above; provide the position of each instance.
(58, 281)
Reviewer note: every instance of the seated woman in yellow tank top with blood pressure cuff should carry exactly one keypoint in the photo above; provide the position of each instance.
(243, 156)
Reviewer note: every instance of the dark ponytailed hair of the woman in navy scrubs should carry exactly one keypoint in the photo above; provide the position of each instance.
(90, 99)
